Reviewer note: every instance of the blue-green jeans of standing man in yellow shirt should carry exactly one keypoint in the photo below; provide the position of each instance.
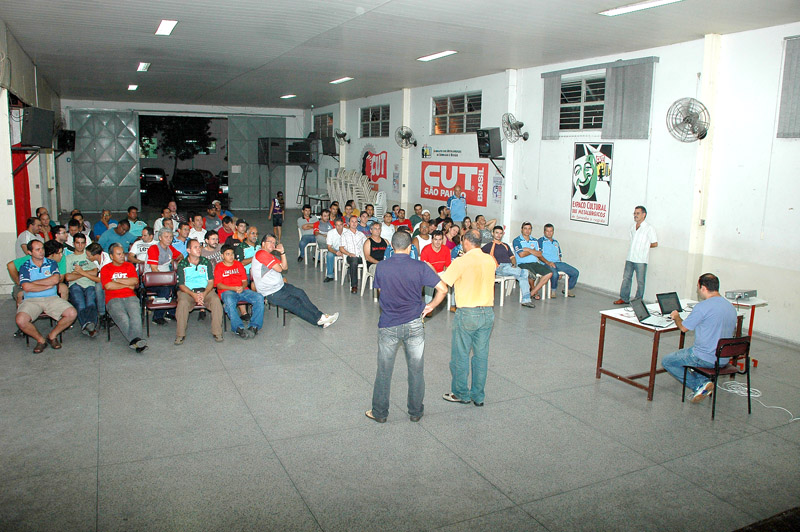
(471, 330)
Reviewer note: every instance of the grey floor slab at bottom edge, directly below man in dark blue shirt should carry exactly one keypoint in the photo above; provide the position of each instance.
(385, 477)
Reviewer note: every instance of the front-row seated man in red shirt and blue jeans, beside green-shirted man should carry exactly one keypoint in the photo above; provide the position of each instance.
(231, 281)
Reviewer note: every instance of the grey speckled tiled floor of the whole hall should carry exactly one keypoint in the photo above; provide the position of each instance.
(270, 434)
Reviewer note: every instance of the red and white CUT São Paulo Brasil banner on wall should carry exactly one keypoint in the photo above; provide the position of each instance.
(439, 178)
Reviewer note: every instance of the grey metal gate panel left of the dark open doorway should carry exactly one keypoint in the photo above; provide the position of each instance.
(105, 164)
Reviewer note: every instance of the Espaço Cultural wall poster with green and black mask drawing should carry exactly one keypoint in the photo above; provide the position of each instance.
(591, 182)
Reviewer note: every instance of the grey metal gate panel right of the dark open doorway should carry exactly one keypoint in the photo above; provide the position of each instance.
(253, 185)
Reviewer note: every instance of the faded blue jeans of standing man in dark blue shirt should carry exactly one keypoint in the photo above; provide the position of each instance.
(412, 336)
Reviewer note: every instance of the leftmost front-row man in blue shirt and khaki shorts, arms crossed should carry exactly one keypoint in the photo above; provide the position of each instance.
(39, 279)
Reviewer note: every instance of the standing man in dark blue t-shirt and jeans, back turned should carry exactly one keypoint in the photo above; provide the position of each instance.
(400, 280)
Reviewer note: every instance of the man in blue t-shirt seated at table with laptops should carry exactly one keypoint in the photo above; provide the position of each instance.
(711, 319)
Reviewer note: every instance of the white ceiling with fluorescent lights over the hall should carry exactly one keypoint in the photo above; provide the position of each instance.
(249, 52)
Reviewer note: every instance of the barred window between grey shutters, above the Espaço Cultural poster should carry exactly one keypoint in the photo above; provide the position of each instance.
(582, 103)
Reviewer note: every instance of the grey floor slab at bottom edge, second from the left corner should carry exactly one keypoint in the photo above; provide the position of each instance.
(239, 488)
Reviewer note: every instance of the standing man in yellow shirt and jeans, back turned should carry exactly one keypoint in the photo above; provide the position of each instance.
(473, 277)
